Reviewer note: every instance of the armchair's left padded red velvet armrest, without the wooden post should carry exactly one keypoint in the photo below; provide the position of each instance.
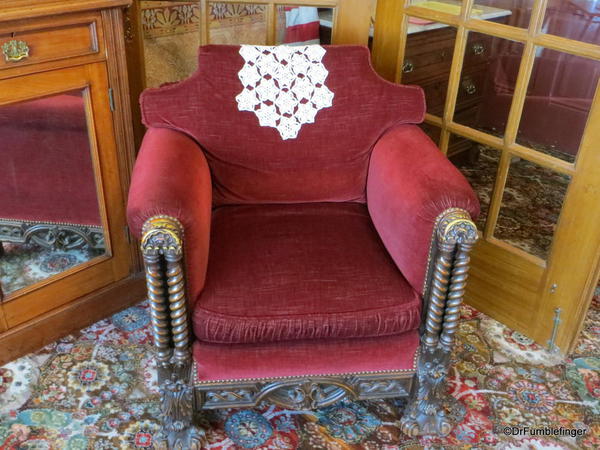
(171, 178)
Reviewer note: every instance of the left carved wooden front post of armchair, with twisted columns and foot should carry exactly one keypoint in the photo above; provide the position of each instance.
(162, 247)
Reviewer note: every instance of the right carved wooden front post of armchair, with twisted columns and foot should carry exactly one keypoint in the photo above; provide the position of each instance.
(431, 410)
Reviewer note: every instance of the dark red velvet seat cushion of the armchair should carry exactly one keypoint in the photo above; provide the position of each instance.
(301, 271)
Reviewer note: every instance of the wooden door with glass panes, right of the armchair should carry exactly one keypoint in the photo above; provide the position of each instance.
(539, 113)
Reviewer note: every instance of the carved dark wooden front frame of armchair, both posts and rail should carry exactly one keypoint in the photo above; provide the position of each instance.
(430, 409)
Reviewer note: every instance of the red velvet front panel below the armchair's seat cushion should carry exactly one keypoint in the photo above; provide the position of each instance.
(313, 357)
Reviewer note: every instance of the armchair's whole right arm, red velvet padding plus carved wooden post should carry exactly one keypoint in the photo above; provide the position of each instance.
(422, 206)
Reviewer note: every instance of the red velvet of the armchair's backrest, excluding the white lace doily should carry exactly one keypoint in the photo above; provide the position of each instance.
(328, 161)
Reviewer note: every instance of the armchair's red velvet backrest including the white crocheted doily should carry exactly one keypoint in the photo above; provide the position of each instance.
(284, 124)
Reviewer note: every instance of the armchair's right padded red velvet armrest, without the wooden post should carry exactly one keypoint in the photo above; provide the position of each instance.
(410, 184)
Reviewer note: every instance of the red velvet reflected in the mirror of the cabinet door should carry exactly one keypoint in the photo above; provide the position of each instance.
(47, 173)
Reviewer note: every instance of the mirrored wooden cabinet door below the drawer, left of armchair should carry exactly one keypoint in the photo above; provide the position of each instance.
(68, 185)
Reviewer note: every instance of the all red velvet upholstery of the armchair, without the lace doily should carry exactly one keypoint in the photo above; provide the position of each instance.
(294, 252)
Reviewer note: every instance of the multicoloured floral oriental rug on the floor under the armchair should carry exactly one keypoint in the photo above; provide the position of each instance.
(98, 390)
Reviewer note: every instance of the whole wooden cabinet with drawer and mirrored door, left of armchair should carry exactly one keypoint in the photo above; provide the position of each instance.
(66, 150)
